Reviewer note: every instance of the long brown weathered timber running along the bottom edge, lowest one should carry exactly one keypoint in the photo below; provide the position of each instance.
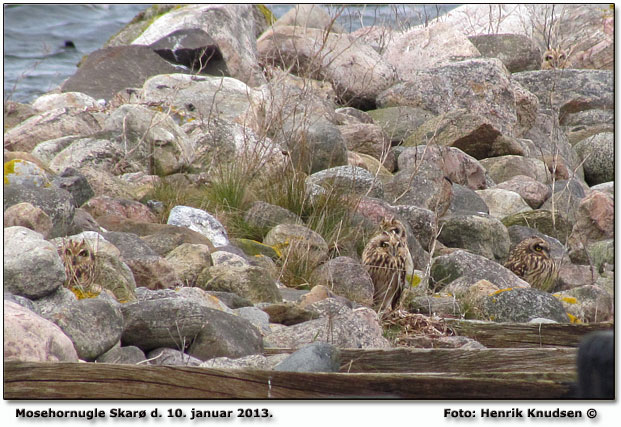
(24, 380)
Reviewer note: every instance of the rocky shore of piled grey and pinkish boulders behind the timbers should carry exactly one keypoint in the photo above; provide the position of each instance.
(202, 188)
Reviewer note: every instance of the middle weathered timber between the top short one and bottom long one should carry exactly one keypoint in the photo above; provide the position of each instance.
(454, 360)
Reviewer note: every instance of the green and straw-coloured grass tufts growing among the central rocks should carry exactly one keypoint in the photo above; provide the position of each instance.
(232, 188)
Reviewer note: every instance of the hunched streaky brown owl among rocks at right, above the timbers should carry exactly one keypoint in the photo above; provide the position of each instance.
(531, 261)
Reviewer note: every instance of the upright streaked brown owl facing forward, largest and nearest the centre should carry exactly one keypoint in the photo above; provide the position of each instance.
(385, 259)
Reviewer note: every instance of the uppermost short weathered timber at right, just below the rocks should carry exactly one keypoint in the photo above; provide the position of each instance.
(496, 335)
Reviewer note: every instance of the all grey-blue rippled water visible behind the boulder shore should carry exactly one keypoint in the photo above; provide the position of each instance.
(36, 59)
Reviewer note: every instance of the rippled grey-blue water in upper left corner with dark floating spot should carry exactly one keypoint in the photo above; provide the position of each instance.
(35, 59)
